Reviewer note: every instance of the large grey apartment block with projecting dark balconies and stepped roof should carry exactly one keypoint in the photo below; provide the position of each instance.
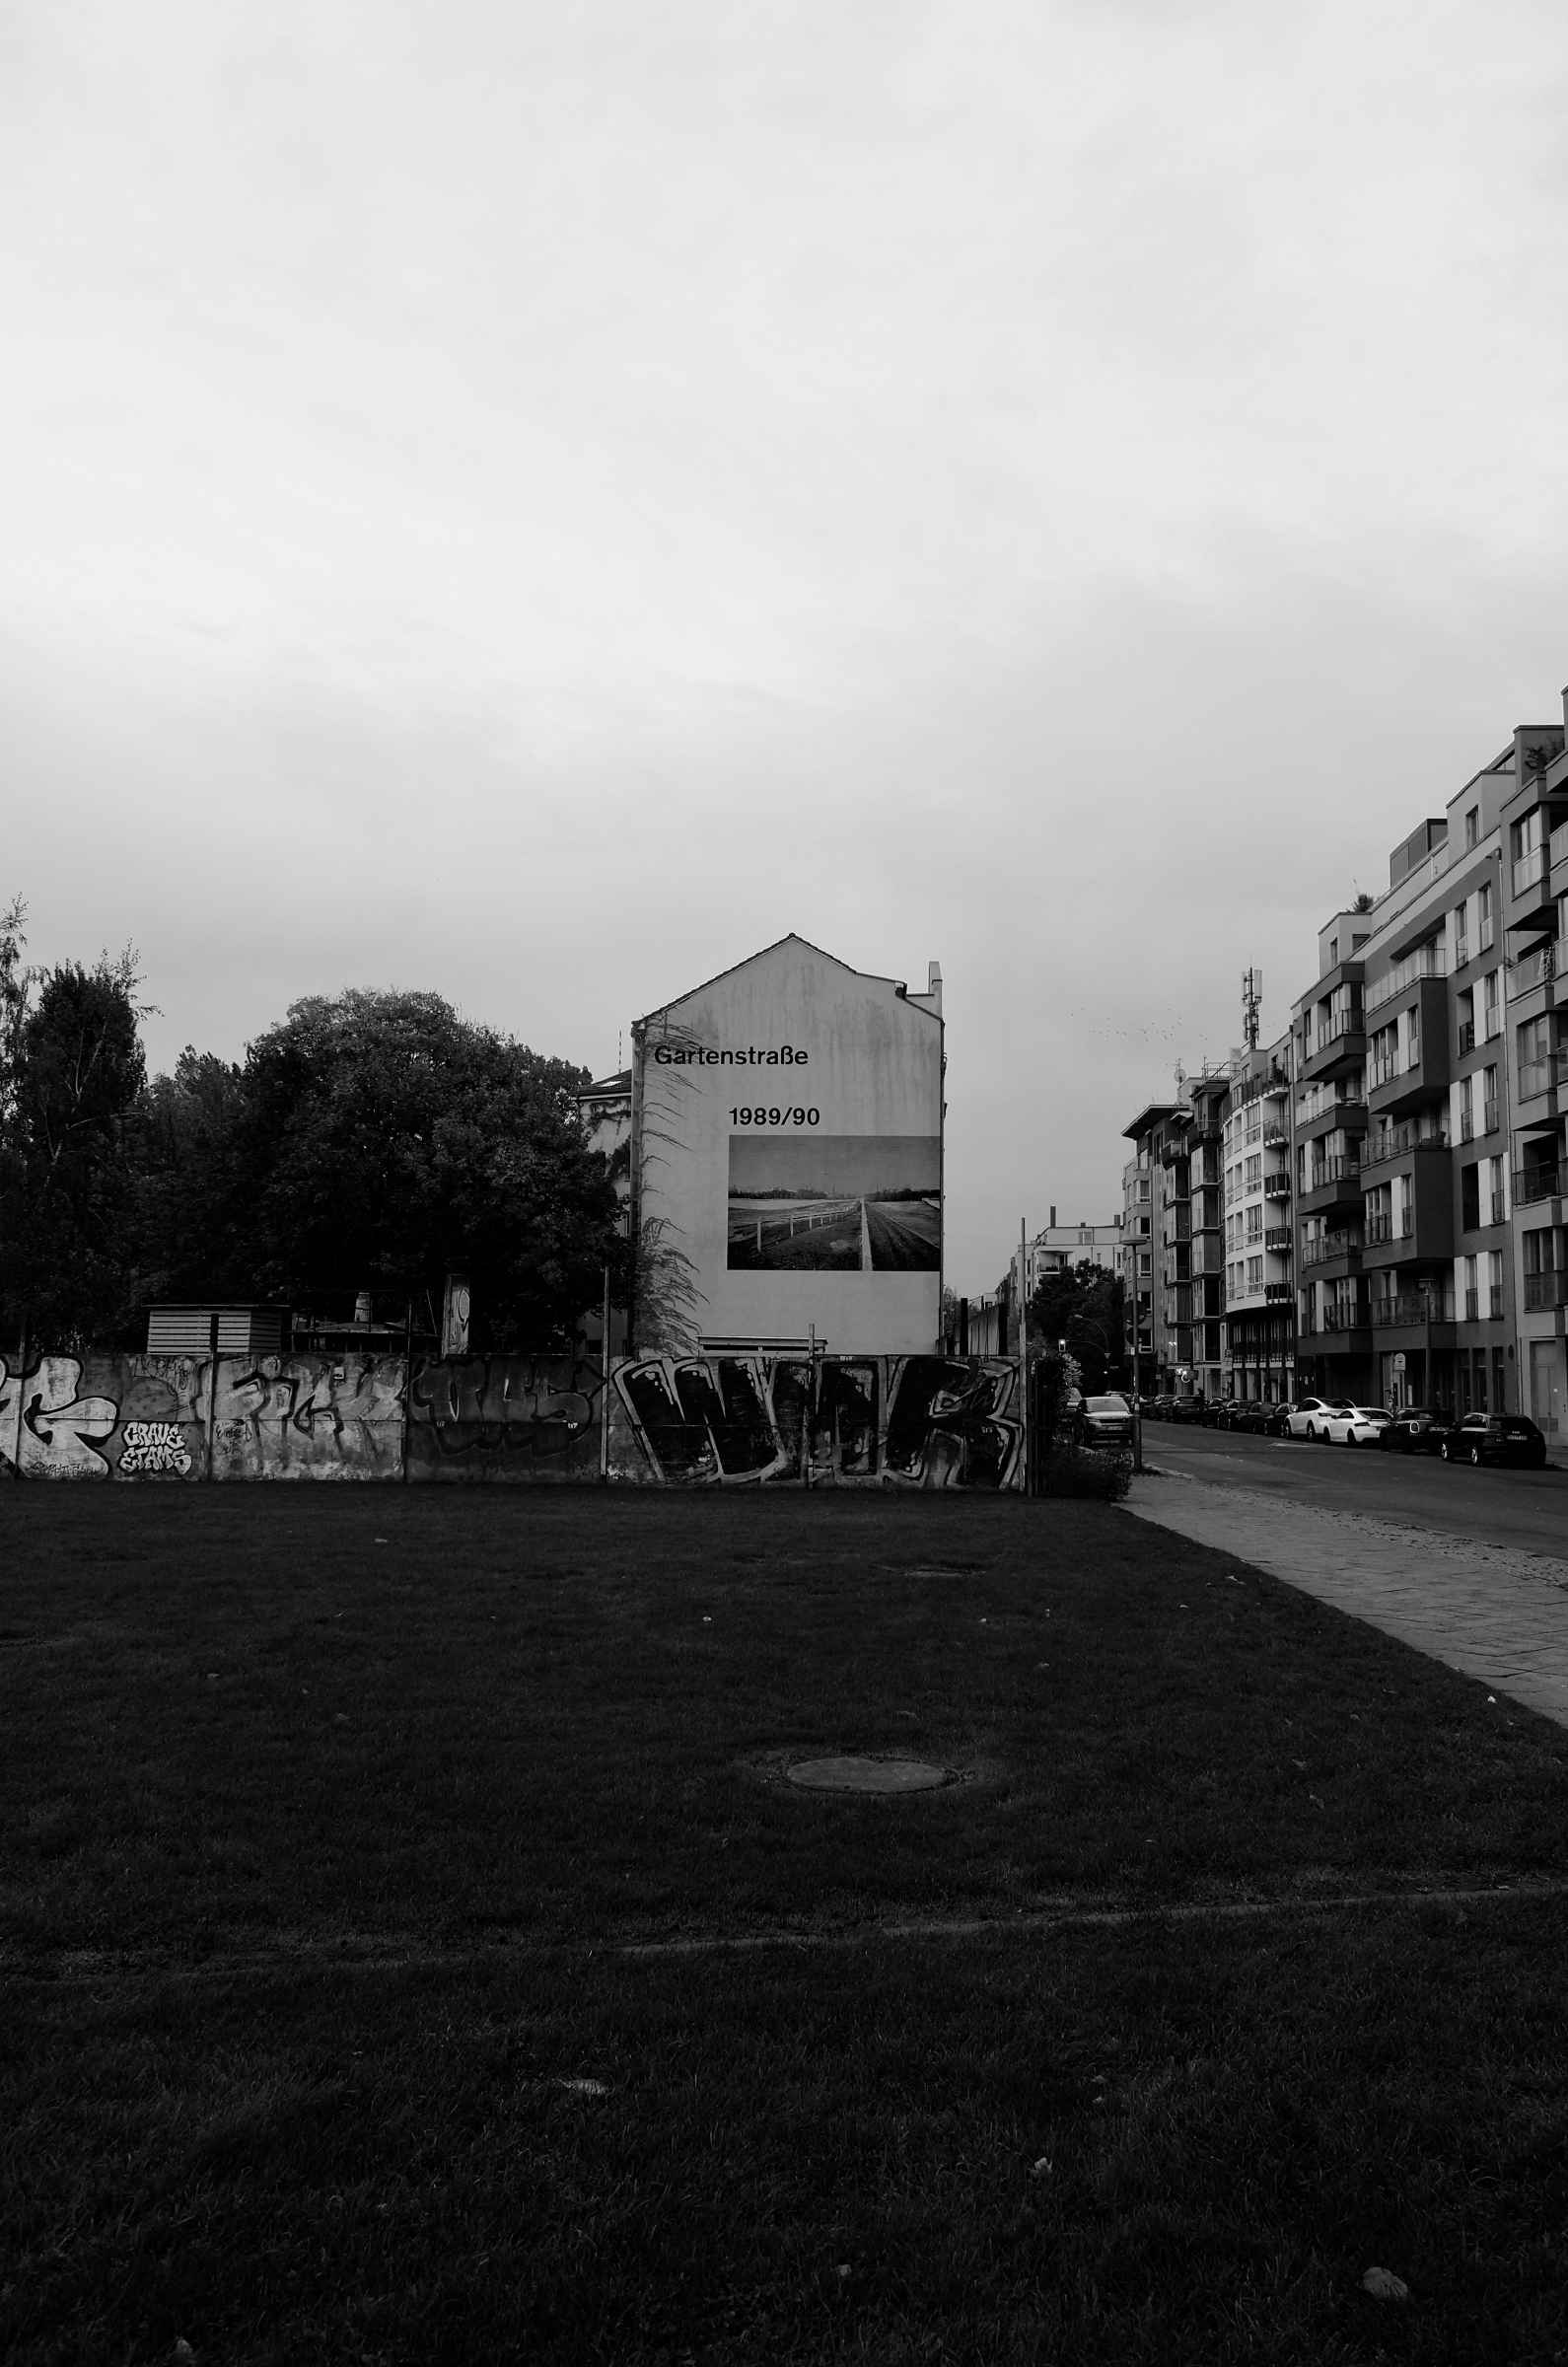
(1403, 1258)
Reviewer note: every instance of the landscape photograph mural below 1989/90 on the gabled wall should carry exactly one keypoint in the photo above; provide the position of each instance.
(840, 1204)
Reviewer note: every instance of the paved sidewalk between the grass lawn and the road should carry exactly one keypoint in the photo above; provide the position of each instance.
(1484, 1611)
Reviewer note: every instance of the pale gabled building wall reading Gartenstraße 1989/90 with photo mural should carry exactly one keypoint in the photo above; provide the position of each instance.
(788, 1159)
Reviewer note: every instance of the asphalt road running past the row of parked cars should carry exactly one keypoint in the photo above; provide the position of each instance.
(1498, 1507)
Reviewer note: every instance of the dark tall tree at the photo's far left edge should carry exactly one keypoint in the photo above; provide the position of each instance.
(70, 1078)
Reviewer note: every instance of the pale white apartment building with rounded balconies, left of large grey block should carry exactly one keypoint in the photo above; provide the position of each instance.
(1259, 1237)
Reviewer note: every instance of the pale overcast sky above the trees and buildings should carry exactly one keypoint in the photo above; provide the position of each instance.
(541, 501)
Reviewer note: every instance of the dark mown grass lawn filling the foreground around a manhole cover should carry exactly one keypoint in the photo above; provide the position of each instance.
(413, 1952)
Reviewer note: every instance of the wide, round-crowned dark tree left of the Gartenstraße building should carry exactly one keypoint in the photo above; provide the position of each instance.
(378, 1142)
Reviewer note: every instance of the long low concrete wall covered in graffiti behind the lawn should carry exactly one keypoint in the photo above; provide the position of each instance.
(667, 1421)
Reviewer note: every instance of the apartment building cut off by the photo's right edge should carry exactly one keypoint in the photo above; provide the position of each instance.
(1536, 998)
